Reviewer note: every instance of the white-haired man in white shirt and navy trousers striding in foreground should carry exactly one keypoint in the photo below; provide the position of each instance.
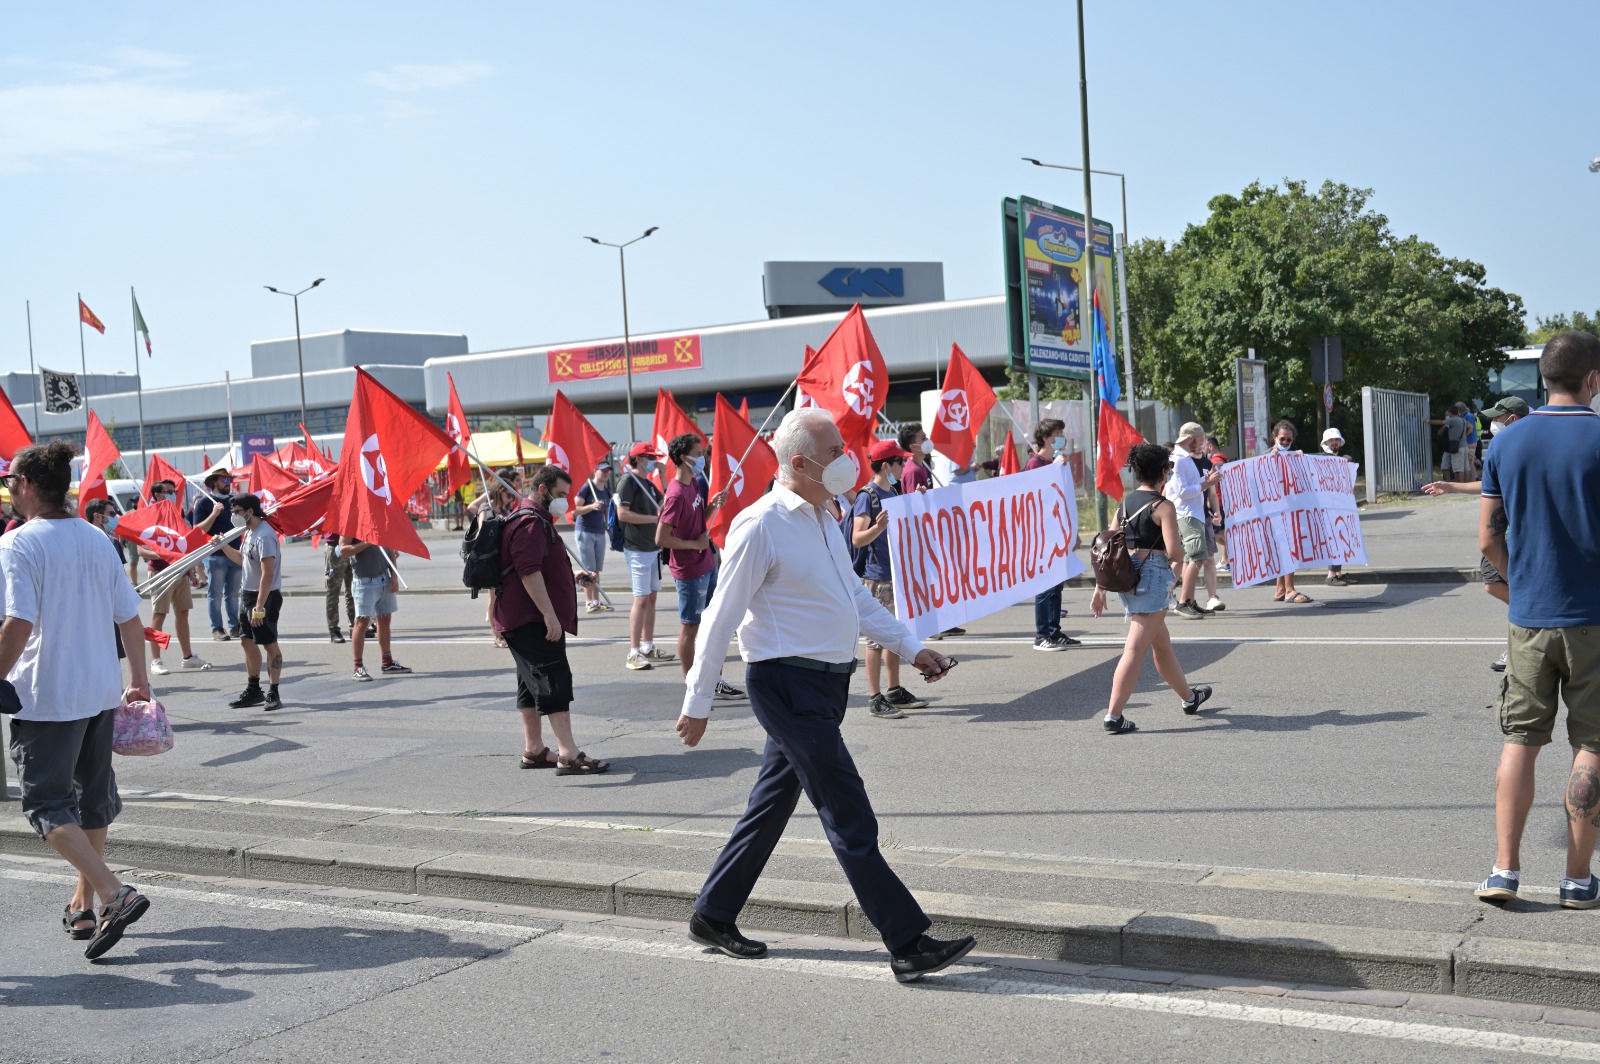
(788, 586)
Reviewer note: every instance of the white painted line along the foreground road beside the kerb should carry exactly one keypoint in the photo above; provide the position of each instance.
(970, 978)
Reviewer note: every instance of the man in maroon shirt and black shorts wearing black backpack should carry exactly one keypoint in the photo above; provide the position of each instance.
(535, 610)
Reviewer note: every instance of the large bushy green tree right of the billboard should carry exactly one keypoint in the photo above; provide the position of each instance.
(1276, 268)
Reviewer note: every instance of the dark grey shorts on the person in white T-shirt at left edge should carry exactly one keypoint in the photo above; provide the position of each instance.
(65, 772)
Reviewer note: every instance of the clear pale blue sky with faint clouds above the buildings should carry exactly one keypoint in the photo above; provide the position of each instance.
(441, 164)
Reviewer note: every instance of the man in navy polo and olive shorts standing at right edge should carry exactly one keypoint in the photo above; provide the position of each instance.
(1543, 476)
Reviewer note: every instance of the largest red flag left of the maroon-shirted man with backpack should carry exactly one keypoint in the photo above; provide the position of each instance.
(390, 450)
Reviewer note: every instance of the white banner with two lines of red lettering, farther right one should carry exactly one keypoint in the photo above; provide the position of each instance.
(1289, 513)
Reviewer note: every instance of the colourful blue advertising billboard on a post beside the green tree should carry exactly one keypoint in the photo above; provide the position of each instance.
(1050, 289)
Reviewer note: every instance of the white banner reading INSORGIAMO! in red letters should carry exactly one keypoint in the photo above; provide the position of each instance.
(966, 551)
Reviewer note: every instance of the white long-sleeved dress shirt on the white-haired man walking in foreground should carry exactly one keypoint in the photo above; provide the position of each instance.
(788, 586)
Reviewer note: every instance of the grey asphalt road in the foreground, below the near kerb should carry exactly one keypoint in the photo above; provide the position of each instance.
(279, 975)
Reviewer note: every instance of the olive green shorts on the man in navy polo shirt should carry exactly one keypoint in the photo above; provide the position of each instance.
(1543, 670)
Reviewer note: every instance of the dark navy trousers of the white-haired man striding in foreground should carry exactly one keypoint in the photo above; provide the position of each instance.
(801, 711)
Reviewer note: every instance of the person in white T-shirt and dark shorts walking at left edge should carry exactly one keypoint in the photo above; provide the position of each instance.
(65, 598)
